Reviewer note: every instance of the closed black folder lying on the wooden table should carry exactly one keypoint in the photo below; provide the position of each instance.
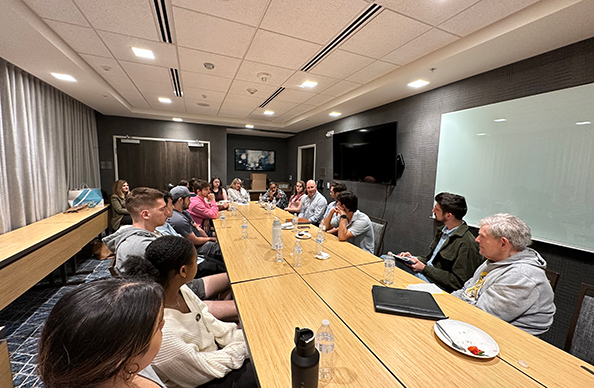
(411, 303)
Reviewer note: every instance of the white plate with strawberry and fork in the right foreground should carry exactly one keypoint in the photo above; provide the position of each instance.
(467, 335)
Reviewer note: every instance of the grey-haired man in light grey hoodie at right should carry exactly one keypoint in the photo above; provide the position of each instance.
(511, 284)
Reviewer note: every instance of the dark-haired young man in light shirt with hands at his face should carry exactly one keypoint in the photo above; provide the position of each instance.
(352, 224)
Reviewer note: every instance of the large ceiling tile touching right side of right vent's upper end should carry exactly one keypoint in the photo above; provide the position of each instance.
(383, 34)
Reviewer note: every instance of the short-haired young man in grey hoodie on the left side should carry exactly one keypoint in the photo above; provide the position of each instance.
(148, 211)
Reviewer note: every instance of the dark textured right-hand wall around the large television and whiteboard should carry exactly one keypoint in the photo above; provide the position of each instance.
(408, 207)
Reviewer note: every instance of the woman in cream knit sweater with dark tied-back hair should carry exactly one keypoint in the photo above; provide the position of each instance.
(197, 348)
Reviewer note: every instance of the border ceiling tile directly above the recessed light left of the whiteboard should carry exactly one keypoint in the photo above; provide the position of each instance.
(421, 46)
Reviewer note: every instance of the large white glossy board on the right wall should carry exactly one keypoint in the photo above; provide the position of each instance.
(532, 157)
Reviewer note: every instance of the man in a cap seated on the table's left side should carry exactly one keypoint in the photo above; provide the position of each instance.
(182, 222)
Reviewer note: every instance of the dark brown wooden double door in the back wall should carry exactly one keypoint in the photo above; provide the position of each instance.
(156, 163)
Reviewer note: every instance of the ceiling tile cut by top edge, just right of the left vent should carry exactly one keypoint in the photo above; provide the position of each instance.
(244, 11)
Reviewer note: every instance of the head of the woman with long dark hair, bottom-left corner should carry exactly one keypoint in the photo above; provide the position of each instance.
(103, 334)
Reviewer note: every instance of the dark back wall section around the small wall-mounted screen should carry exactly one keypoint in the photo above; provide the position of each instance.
(257, 143)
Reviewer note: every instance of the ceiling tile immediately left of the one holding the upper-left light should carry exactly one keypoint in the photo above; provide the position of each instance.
(81, 39)
